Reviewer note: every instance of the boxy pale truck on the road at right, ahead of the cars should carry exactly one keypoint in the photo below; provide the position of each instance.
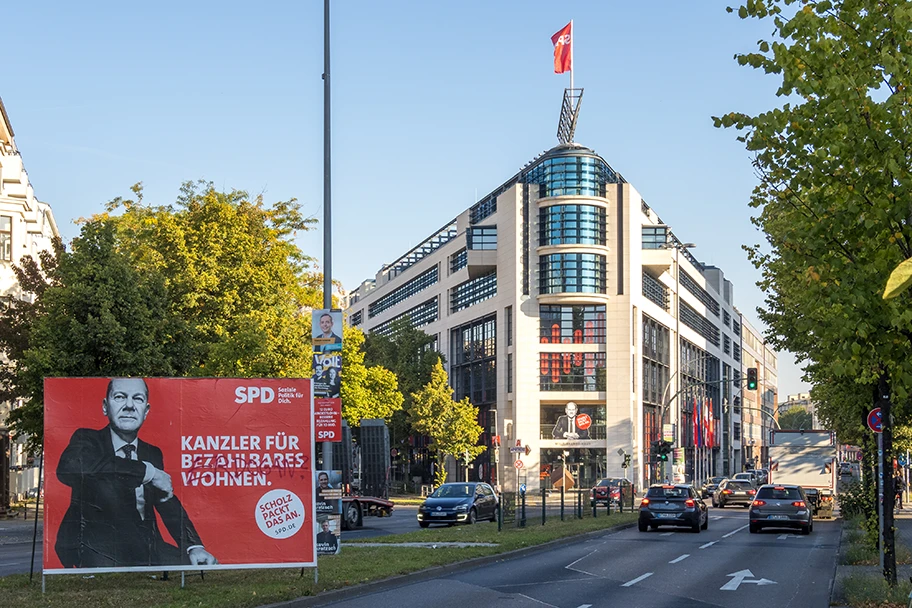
(806, 458)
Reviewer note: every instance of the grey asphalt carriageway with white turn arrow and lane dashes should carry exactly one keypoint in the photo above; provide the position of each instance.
(722, 566)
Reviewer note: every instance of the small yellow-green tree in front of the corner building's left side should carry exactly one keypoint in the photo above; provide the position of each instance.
(452, 425)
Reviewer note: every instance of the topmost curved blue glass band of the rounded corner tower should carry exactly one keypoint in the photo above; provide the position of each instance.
(570, 175)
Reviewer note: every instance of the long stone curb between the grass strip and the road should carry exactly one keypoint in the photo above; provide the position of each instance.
(344, 593)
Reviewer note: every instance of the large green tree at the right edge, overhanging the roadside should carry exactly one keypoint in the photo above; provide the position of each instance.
(834, 185)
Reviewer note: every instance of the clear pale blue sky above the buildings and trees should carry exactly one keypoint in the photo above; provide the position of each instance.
(434, 105)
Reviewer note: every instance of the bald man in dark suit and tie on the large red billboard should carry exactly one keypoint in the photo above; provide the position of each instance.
(118, 486)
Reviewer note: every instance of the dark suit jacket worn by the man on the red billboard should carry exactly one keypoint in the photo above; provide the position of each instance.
(102, 526)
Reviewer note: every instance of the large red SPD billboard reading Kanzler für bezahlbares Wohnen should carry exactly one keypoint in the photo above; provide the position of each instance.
(178, 474)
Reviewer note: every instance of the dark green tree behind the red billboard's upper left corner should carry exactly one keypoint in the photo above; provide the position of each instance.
(94, 314)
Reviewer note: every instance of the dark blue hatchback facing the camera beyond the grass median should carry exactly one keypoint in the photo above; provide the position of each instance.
(458, 503)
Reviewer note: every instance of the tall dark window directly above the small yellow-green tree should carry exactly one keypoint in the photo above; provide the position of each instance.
(473, 368)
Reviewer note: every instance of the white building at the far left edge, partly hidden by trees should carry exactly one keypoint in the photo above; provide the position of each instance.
(27, 227)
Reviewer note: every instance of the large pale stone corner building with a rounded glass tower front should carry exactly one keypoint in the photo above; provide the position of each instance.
(563, 285)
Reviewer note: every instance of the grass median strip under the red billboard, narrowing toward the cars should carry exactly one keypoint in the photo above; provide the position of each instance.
(249, 588)
